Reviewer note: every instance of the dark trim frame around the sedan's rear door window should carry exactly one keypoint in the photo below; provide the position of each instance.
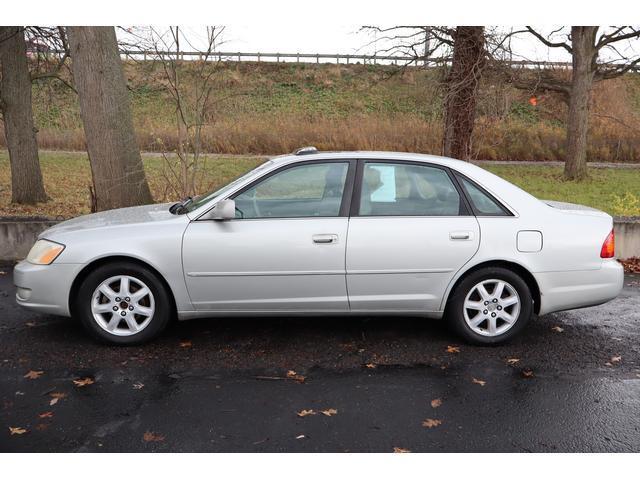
(464, 210)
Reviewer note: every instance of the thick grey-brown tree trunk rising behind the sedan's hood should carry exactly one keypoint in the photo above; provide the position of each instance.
(116, 165)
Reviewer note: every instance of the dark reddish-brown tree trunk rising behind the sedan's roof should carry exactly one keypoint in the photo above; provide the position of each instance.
(462, 89)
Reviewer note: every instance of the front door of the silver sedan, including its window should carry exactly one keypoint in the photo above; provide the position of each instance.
(285, 250)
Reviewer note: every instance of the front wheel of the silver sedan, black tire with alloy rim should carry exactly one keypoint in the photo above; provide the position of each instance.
(114, 307)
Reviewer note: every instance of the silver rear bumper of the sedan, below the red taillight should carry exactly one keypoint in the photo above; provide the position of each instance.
(584, 288)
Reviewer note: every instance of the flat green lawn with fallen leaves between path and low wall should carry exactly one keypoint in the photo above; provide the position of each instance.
(67, 178)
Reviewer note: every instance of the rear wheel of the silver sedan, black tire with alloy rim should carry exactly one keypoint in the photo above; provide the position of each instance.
(479, 316)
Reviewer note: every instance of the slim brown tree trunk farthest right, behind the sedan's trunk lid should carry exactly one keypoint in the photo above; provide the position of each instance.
(584, 63)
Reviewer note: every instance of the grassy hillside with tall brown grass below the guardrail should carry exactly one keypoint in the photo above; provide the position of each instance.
(270, 108)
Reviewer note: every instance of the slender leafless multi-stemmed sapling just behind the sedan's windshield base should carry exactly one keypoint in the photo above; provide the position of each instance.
(190, 86)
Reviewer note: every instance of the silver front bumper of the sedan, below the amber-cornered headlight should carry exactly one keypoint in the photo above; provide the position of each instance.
(45, 288)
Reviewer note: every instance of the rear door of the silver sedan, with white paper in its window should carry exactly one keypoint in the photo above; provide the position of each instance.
(410, 232)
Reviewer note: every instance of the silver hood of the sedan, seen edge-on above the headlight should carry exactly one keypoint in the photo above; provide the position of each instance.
(111, 218)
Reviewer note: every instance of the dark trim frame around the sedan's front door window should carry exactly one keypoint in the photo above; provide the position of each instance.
(346, 193)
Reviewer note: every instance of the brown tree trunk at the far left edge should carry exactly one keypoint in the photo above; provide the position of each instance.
(15, 99)
